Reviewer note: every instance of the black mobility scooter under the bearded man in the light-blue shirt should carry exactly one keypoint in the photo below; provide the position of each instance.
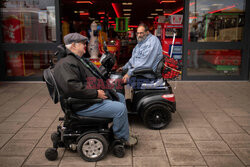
(152, 98)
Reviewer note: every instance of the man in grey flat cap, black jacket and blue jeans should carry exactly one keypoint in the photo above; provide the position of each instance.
(72, 74)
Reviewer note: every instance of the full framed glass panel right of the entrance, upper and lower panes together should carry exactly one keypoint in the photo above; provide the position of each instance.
(215, 40)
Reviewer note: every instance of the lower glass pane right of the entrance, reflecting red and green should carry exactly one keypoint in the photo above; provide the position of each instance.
(214, 62)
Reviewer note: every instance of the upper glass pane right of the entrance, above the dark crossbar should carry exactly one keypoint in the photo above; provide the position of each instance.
(216, 21)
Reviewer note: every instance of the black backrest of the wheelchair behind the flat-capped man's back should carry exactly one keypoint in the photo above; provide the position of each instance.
(51, 85)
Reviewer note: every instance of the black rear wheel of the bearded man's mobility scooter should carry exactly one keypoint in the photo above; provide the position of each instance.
(157, 116)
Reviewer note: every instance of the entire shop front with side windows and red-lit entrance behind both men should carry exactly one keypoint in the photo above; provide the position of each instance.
(211, 37)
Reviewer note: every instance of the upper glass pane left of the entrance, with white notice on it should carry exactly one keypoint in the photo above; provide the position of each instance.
(28, 21)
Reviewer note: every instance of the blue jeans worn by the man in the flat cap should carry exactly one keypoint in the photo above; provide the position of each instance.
(111, 109)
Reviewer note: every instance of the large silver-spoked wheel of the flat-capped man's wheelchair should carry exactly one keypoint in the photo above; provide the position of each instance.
(92, 147)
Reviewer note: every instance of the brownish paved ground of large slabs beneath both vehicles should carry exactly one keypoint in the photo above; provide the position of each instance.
(210, 128)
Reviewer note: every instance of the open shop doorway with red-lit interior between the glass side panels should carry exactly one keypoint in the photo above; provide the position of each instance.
(116, 24)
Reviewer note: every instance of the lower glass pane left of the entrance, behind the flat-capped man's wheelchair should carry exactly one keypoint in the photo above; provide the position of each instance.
(27, 63)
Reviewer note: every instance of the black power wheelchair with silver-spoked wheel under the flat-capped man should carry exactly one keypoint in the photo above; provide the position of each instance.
(91, 137)
